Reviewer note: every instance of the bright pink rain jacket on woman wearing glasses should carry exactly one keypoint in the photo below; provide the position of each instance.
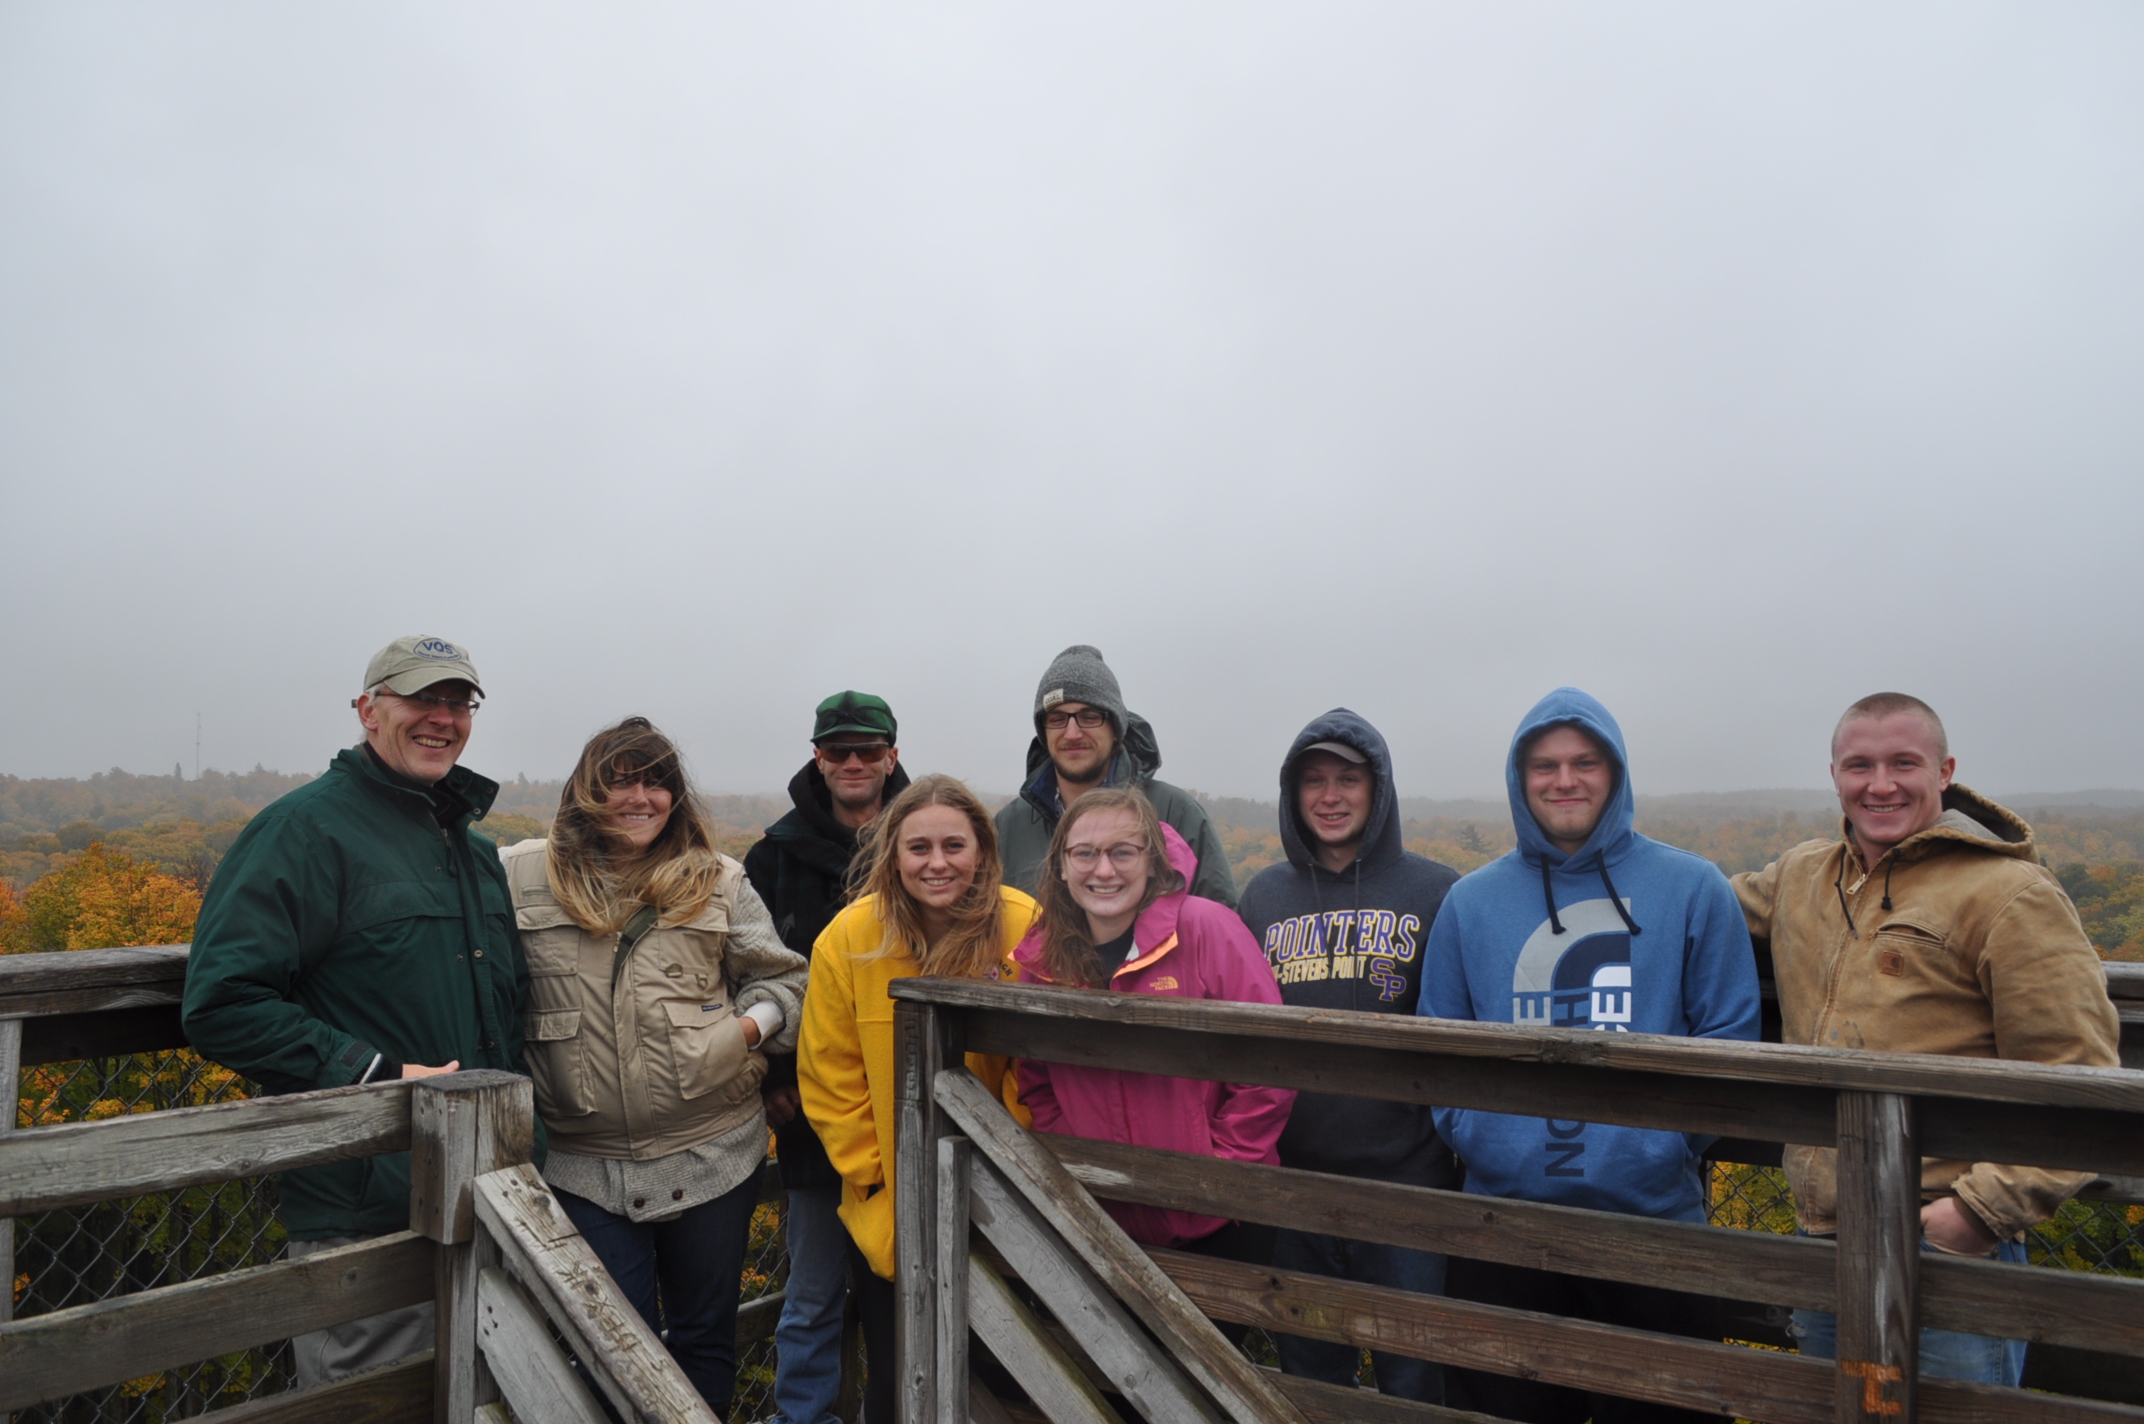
(1189, 949)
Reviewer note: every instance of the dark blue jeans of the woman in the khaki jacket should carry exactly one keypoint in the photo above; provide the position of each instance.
(681, 1275)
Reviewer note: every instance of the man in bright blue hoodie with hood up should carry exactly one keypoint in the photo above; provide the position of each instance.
(1588, 925)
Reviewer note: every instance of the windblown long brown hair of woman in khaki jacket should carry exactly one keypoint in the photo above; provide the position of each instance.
(601, 887)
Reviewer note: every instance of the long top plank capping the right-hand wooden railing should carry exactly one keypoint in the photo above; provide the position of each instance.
(1746, 1063)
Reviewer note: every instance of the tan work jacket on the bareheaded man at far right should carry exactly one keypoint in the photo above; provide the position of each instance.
(1980, 955)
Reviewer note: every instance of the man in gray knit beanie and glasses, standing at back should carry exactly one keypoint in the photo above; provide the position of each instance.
(1086, 739)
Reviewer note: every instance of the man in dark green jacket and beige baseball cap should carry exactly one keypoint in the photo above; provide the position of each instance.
(361, 932)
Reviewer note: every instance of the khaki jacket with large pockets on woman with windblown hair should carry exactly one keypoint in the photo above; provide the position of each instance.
(659, 1065)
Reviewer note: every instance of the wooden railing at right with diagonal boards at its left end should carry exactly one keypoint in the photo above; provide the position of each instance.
(979, 1196)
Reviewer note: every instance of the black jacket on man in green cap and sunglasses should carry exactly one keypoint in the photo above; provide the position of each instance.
(801, 870)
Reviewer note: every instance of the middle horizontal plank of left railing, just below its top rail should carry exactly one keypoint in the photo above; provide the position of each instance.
(110, 1341)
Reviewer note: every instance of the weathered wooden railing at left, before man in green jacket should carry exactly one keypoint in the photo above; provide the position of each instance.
(486, 1241)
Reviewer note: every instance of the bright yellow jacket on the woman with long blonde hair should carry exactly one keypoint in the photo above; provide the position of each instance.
(846, 1063)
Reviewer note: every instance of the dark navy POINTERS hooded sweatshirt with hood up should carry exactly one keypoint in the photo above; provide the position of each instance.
(1352, 940)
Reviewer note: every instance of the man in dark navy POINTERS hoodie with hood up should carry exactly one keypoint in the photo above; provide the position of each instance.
(1343, 925)
